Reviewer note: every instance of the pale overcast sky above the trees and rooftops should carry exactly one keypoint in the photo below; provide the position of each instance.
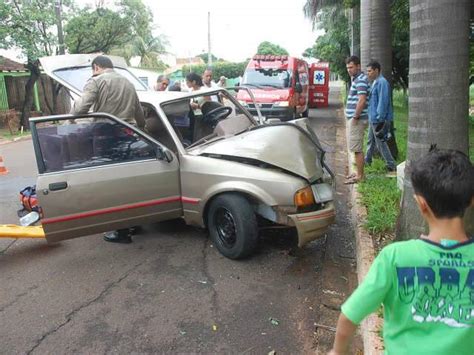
(237, 27)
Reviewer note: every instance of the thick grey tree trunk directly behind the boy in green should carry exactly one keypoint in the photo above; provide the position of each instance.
(438, 101)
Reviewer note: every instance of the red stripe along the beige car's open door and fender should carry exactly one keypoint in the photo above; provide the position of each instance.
(119, 209)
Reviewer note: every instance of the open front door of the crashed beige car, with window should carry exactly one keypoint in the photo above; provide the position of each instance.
(98, 173)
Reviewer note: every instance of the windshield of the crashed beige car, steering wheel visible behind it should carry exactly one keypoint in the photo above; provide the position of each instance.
(204, 118)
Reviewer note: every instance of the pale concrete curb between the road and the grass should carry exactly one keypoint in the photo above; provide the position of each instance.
(365, 254)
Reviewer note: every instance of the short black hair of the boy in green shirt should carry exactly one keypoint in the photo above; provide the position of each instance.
(445, 178)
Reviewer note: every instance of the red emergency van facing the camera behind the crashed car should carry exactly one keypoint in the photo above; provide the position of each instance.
(279, 85)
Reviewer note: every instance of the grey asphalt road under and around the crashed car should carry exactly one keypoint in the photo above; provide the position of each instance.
(171, 291)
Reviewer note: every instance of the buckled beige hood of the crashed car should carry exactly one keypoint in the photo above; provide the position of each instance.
(283, 146)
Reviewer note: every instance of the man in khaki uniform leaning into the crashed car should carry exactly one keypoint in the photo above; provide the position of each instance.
(108, 91)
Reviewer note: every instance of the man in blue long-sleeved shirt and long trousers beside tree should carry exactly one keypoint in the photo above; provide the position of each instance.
(380, 116)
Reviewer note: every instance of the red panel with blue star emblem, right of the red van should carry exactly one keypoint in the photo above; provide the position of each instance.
(318, 84)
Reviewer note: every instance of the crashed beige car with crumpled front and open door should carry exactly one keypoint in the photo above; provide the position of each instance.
(215, 166)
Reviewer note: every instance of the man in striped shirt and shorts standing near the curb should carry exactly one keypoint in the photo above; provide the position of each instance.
(357, 116)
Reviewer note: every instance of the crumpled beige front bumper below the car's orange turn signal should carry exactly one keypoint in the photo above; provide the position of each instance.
(312, 225)
